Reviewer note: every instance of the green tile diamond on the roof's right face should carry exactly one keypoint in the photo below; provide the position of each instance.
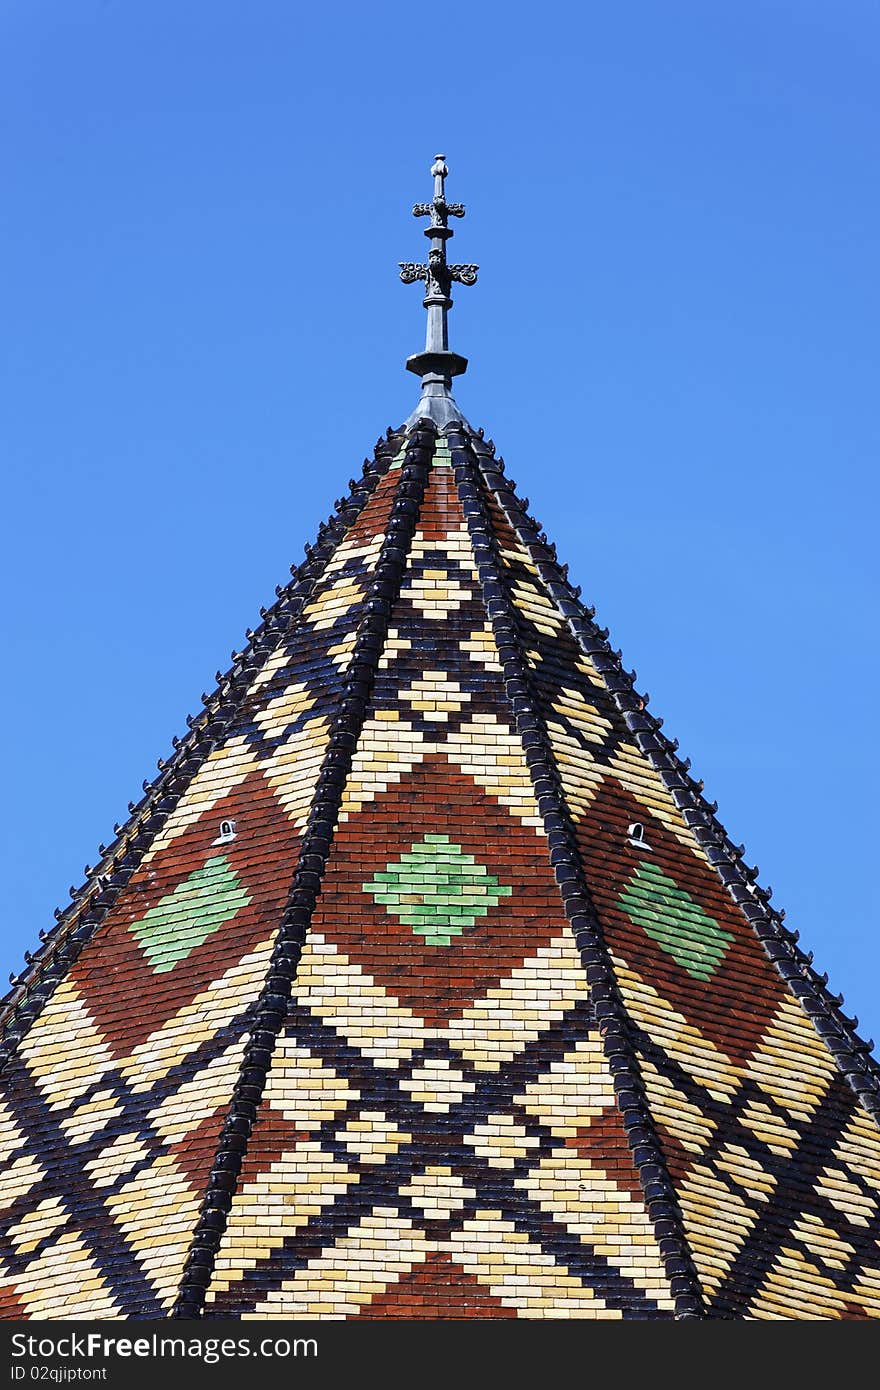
(669, 917)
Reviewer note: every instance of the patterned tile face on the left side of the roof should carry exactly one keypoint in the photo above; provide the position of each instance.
(119, 1090)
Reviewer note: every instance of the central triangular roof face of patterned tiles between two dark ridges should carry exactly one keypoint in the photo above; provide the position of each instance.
(440, 1110)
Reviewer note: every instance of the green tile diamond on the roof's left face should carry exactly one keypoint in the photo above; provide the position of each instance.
(184, 919)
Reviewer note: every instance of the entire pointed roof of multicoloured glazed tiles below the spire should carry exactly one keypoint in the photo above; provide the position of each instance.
(425, 983)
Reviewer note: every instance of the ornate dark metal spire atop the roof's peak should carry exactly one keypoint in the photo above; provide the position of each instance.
(437, 366)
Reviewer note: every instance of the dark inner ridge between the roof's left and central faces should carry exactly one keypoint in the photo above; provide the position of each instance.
(272, 1007)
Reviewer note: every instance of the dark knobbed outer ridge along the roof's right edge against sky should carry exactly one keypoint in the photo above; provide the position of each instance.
(740, 881)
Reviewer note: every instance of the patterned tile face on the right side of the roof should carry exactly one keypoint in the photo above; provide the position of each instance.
(750, 1104)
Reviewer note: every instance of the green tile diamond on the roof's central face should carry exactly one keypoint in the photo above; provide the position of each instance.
(437, 889)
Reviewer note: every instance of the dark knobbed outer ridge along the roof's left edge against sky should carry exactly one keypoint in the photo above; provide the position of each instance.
(104, 883)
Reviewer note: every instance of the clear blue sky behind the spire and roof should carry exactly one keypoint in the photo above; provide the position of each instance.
(674, 343)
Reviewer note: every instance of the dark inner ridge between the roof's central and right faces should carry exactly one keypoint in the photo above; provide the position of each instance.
(469, 459)
